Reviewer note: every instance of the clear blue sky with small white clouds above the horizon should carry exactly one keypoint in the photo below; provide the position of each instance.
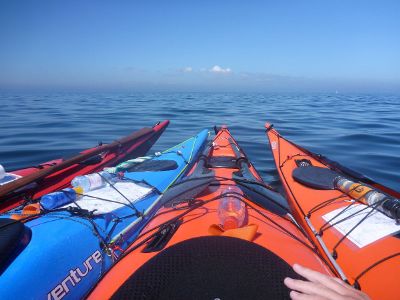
(200, 45)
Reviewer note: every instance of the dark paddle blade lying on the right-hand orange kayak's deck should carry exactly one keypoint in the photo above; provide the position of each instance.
(315, 177)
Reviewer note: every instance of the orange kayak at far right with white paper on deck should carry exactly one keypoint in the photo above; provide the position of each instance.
(358, 235)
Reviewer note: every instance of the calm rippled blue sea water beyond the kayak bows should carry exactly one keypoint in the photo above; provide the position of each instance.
(359, 131)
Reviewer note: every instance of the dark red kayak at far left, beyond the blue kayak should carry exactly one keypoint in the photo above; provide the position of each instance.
(33, 182)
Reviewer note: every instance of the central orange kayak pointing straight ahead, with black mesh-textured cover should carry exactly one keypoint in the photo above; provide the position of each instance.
(185, 252)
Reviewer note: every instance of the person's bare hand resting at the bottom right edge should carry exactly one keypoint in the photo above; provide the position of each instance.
(320, 286)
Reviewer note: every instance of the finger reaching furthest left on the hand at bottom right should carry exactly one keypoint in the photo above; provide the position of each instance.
(311, 288)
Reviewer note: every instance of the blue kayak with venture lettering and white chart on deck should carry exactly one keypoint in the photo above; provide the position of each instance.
(62, 253)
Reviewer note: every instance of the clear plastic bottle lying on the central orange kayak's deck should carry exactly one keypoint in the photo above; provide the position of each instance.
(231, 210)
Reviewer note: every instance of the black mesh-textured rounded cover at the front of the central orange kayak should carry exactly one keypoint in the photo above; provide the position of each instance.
(210, 268)
